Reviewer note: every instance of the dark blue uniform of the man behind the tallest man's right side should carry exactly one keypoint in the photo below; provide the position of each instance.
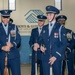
(69, 56)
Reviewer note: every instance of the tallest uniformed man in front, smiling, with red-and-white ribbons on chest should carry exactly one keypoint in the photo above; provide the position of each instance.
(55, 41)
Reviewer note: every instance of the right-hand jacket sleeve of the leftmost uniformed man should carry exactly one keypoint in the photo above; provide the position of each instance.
(17, 40)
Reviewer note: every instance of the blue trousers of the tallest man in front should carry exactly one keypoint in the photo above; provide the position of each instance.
(57, 67)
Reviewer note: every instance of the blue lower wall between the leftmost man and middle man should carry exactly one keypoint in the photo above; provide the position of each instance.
(25, 50)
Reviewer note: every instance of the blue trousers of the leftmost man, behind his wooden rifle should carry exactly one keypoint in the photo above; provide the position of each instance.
(13, 64)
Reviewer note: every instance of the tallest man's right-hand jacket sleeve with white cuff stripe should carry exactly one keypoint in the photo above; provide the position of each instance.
(61, 46)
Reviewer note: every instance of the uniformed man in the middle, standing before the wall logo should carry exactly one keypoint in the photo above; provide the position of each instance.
(35, 40)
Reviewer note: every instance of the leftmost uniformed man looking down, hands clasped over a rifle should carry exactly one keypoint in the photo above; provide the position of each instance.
(9, 41)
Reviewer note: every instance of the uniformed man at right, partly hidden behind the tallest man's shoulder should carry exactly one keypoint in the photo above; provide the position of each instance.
(68, 62)
